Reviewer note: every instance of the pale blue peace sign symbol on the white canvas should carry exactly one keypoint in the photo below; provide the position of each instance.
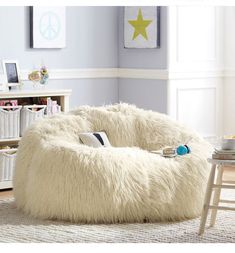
(49, 25)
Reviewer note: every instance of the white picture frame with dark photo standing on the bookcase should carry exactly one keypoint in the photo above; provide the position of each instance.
(11, 72)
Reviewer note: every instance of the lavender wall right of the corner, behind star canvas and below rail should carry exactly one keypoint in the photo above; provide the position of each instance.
(145, 93)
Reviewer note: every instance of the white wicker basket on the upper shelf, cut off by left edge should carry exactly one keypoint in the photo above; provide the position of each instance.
(9, 122)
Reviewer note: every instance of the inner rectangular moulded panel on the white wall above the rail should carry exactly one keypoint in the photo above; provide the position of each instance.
(196, 33)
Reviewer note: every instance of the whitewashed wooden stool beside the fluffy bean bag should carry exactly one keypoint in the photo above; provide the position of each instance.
(216, 183)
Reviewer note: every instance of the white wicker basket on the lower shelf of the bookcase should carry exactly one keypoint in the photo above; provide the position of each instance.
(7, 164)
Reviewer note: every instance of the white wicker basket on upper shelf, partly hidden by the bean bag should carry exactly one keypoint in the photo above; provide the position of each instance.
(29, 114)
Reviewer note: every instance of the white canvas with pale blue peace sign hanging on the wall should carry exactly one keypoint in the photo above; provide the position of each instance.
(47, 27)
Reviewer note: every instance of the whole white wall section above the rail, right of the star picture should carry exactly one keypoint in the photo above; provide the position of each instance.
(195, 38)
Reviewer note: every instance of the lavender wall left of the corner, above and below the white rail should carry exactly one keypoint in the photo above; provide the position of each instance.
(92, 42)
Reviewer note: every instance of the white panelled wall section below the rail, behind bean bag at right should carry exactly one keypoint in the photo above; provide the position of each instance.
(198, 104)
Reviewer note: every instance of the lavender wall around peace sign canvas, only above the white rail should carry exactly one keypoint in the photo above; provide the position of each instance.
(92, 39)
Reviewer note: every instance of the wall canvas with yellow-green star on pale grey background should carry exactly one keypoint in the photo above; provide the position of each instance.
(142, 27)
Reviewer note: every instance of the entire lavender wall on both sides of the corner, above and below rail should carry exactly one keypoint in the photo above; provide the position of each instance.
(94, 40)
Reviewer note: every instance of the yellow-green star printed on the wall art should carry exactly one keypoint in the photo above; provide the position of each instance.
(140, 25)
